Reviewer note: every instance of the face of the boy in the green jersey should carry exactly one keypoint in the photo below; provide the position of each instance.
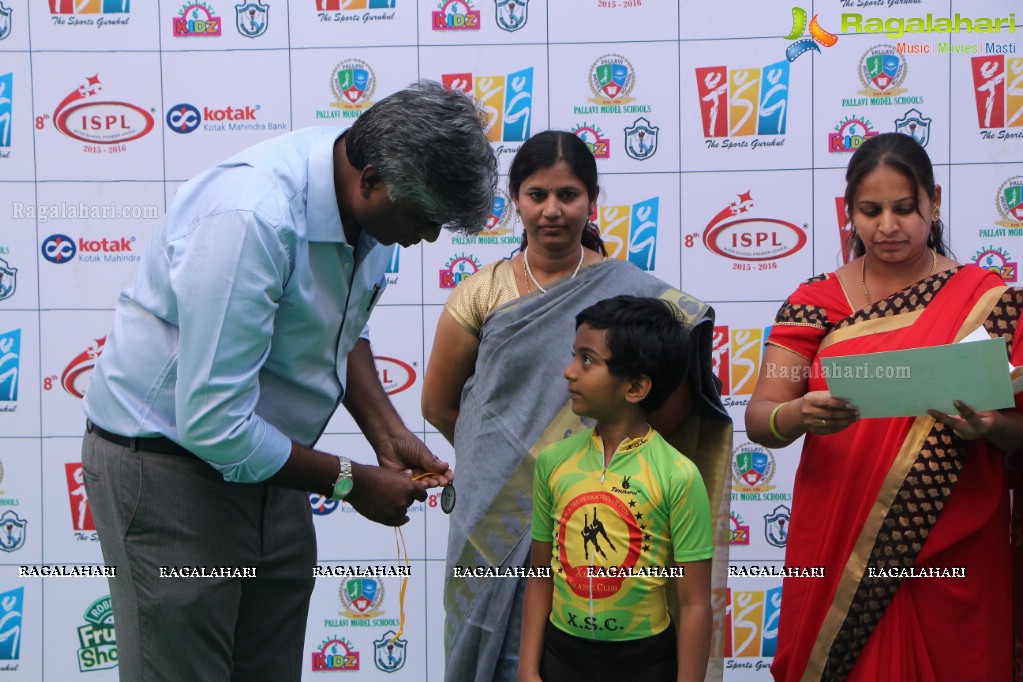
(595, 391)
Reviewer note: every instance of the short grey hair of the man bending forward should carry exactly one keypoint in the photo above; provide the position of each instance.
(430, 147)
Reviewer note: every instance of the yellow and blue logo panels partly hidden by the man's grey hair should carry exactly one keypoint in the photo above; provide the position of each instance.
(507, 101)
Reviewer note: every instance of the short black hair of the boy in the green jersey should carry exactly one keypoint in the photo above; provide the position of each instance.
(645, 337)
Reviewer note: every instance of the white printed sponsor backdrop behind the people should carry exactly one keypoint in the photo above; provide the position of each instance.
(722, 131)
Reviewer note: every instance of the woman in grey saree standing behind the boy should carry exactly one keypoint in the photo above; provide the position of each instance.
(515, 403)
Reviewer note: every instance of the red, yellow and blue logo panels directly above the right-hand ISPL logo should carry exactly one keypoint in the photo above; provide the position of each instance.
(740, 103)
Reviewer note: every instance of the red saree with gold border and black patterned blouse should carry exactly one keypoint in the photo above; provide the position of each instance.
(899, 493)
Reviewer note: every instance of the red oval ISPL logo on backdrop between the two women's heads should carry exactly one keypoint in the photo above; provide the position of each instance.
(751, 239)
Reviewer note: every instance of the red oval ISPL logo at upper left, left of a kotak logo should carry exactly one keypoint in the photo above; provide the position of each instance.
(84, 117)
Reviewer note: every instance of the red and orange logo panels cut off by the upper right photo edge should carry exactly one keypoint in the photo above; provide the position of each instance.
(998, 84)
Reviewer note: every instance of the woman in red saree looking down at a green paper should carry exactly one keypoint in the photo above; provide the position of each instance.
(879, 501)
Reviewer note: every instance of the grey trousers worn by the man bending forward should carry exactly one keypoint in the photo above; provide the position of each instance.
(155, 511)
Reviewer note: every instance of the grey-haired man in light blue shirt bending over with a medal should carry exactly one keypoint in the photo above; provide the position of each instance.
(244, 333)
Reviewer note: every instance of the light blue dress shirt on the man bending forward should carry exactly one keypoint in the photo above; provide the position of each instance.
(235, 341)
